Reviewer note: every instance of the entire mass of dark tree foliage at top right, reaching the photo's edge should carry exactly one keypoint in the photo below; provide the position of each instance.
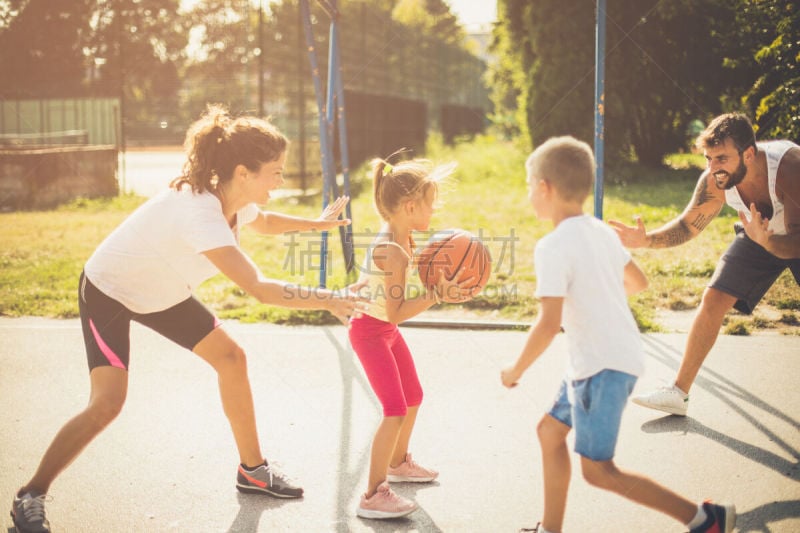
(667, 64)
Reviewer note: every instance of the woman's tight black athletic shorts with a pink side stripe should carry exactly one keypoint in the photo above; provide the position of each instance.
(106, 325)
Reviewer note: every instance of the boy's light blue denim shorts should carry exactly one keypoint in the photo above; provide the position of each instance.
(593, 408)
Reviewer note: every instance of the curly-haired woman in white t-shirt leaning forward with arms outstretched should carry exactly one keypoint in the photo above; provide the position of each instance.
(147, 269)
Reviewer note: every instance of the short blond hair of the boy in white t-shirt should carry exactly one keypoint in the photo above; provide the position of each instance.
(566, 163)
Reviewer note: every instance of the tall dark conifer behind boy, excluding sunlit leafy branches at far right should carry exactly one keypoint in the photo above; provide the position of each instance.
(663, 68)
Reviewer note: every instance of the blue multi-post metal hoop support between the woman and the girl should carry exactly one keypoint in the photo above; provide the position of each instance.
(329, 111)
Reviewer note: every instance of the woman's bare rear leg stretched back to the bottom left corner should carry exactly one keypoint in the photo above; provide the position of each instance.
(109, 389)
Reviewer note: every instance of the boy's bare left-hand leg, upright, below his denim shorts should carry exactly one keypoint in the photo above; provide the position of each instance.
(556, 470)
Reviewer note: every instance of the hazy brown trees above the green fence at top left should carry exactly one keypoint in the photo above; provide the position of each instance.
(70, 48)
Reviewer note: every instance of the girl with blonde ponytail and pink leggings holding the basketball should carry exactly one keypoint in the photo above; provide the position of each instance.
(404, 195)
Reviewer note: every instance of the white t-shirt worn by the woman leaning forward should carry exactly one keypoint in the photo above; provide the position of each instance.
(154, 259)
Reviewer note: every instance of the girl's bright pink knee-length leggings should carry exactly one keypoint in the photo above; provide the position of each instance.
(388, 364)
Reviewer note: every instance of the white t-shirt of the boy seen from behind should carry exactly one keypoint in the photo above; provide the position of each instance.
(582, 261)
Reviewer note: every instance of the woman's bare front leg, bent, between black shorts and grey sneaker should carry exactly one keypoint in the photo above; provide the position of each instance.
(230, 362)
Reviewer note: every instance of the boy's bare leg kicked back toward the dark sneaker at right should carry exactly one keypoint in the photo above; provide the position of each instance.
(638, 488)
